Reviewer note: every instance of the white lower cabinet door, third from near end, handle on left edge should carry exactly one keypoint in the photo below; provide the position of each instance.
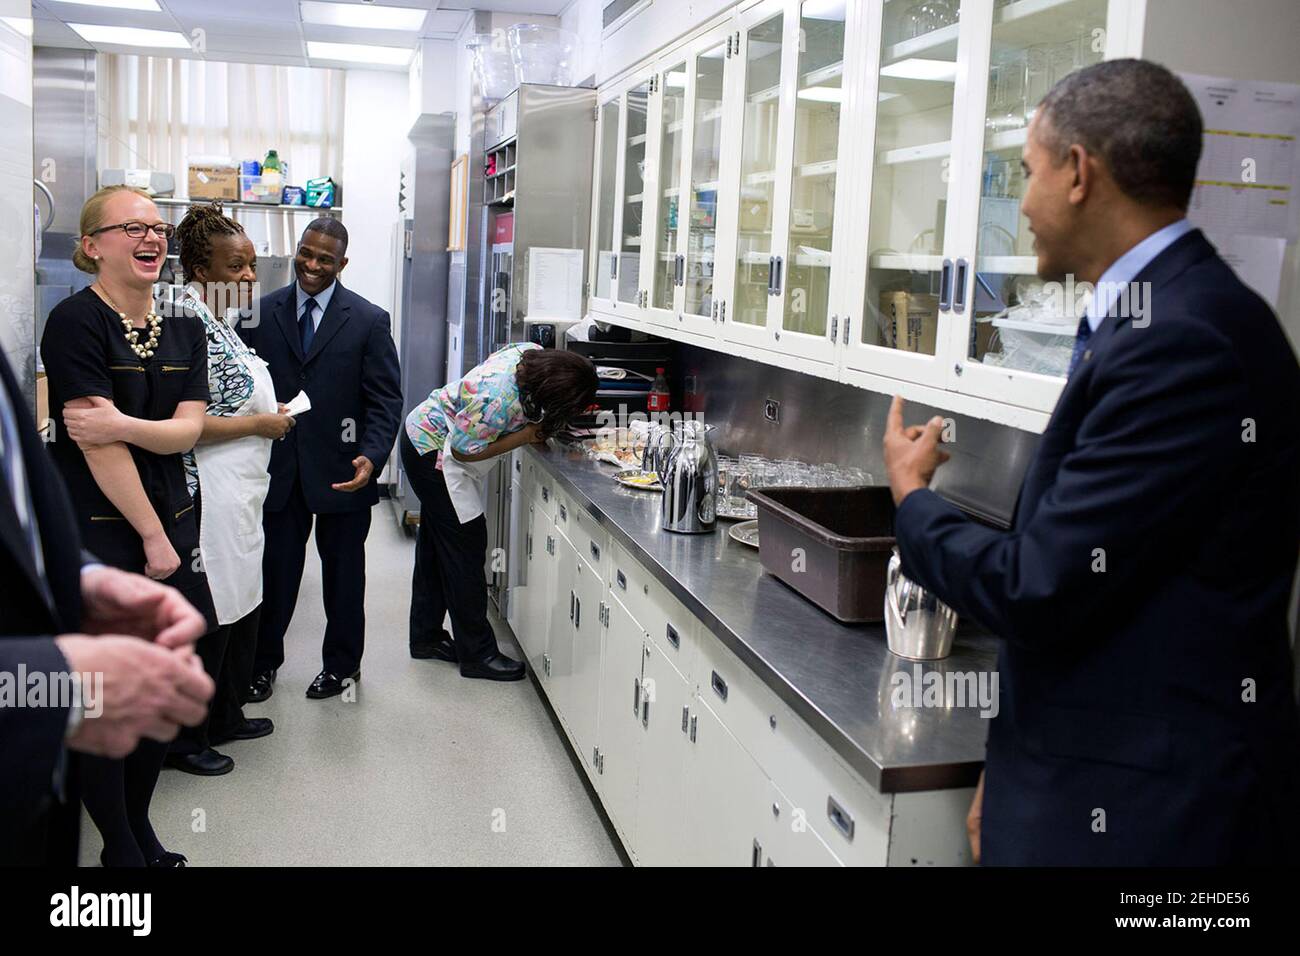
(661, 811)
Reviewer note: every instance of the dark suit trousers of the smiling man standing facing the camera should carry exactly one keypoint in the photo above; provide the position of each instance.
(341, 544)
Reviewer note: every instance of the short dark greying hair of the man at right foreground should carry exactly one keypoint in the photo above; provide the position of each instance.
(1139, 119)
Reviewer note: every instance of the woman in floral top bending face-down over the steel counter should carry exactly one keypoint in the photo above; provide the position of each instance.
(518, 396)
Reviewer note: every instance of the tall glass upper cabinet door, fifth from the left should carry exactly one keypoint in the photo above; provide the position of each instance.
(762, 45)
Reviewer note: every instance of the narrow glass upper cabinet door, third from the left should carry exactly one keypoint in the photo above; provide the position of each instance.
(665, 261)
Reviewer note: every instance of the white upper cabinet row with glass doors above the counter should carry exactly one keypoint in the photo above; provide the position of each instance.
(835, 187)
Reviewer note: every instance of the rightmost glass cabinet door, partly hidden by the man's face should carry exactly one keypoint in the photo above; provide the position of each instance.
(1012, 322)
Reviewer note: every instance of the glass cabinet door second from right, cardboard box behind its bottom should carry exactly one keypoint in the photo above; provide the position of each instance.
(902, 328)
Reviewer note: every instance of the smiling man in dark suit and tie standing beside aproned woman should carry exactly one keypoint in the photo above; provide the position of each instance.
(330, 343)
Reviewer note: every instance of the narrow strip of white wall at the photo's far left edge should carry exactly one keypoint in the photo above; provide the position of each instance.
(18, 239)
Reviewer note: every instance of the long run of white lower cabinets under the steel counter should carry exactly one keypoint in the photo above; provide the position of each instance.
(695, 759)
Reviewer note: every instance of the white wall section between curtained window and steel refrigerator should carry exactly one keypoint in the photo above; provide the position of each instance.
(375, 128)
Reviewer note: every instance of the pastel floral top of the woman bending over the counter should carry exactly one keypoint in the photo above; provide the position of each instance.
(482, 406)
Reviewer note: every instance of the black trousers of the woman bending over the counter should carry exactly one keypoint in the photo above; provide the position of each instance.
(449, 565)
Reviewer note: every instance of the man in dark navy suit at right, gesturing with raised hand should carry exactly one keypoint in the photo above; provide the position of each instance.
(1149, 713)
